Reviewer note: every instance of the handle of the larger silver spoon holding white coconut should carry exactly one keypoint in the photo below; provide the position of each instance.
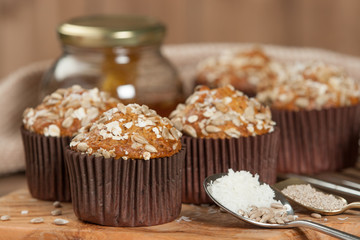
(324, 229)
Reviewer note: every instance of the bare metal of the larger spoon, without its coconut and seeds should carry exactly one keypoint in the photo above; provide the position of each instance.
(279, 196)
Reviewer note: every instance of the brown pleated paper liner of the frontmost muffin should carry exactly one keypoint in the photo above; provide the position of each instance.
(117, 192)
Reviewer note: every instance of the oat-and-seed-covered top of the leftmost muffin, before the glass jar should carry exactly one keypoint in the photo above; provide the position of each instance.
(65, 111)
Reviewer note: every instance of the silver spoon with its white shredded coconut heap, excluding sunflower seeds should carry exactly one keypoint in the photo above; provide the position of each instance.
(239, 192)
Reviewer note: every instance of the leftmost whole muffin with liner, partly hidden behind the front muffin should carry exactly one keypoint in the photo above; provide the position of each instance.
(47, 130)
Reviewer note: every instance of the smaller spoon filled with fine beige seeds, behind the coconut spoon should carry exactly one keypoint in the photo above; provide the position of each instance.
(313, 199)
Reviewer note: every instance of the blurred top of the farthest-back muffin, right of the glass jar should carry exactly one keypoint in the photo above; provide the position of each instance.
(248, 71)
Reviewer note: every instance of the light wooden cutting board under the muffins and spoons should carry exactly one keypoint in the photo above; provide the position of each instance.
(206, 222)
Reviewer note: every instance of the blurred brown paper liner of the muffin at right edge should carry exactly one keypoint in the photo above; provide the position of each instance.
(318, 140)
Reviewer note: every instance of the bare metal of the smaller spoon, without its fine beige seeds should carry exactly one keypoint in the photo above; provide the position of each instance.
(295, 181)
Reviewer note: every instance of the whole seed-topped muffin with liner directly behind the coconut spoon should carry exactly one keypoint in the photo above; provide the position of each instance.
(224, 129)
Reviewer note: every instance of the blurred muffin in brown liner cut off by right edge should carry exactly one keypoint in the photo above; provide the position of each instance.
(318, 112)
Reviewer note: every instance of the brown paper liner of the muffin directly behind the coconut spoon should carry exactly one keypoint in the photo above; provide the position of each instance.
(205, 157)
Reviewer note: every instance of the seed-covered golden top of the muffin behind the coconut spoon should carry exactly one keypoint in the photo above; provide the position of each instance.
(221, 113)
